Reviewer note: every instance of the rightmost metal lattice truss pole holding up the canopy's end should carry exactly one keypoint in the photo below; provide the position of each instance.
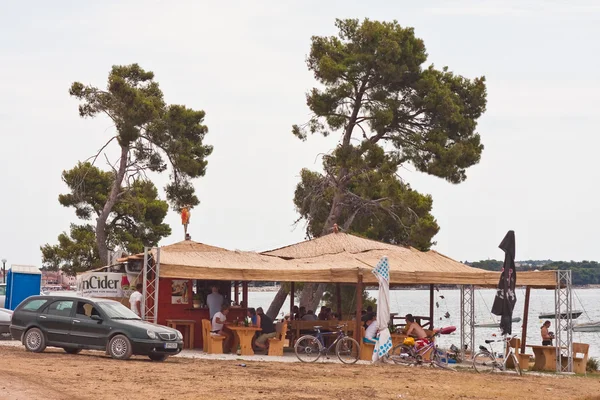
(563, 301)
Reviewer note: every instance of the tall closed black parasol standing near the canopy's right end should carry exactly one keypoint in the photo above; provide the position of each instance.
(505, 300)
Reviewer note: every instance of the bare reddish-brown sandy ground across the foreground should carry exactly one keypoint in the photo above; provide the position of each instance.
(56, 375)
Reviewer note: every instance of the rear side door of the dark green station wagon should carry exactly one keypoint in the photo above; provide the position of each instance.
(56, 321)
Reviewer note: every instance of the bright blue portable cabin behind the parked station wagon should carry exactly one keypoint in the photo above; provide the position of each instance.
(22, 281)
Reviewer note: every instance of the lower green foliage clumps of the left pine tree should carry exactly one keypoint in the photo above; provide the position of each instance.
(135, 221)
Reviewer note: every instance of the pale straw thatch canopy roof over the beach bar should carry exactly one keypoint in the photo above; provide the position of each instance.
(337, 257)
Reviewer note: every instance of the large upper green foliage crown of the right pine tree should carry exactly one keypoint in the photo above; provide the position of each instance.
(373, 78)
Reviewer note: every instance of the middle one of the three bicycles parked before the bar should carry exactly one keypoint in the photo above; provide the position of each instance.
(411, 355)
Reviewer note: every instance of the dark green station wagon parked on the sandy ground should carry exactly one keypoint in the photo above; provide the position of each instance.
(77, 323)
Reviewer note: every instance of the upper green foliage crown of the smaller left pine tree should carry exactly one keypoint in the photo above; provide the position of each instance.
(151, 131)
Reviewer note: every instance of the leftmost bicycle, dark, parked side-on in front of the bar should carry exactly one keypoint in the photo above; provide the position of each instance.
(309, 348)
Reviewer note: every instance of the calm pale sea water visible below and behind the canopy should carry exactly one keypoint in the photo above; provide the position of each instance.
(541, 301)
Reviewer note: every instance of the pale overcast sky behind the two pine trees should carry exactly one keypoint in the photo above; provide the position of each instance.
(243, 63)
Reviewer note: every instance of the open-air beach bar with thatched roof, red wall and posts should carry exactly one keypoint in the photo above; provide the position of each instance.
(176, 275)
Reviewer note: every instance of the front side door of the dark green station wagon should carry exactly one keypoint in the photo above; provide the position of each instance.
(88, 332)
